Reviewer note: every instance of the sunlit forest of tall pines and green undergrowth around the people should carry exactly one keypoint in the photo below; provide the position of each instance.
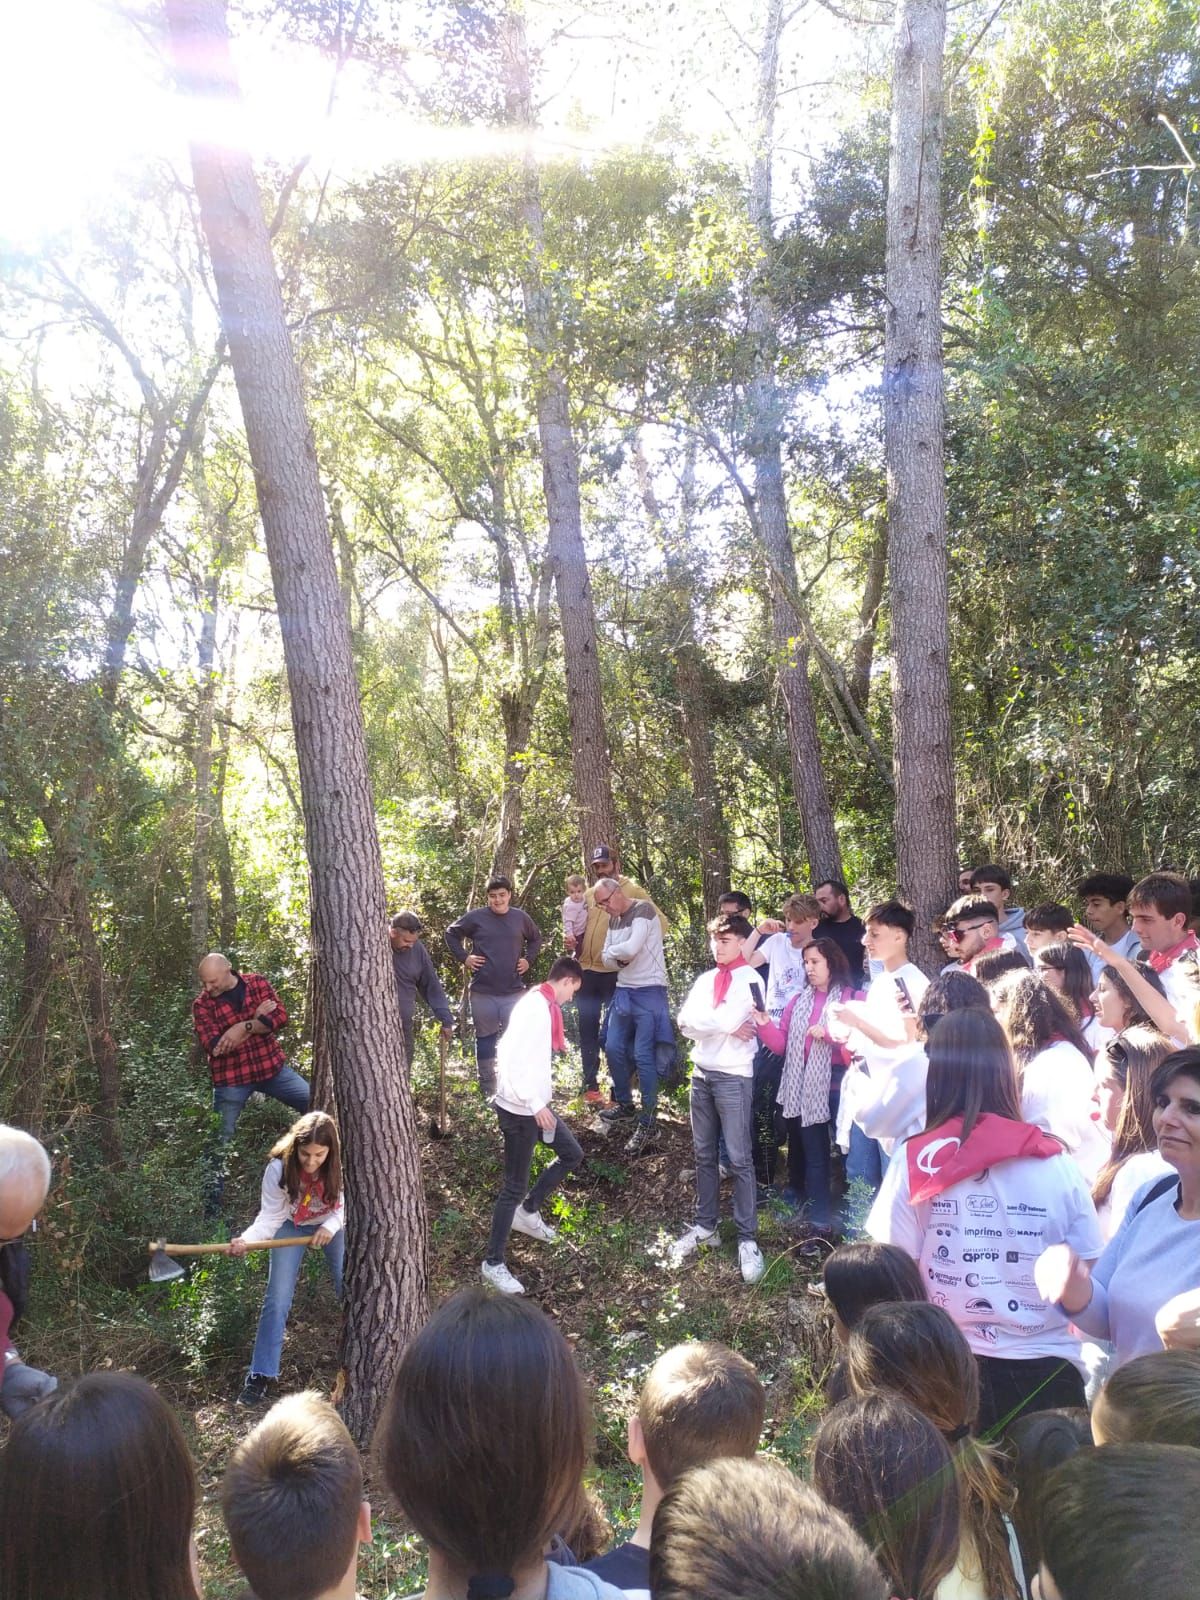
(444, 436)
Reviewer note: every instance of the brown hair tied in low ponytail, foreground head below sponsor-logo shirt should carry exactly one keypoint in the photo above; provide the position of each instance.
(919, 1353)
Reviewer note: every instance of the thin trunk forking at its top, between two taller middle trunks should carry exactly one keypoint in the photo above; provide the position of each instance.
(713, 838)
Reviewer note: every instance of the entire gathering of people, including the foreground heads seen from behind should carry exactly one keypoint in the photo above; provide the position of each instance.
(1015, 1404)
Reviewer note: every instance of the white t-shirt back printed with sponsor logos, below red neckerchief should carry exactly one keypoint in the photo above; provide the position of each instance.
(978, 1241)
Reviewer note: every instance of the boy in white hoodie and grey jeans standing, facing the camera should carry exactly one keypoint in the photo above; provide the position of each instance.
(719, 1018)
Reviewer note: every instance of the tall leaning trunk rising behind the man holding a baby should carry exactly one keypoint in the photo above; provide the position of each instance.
(561, 478)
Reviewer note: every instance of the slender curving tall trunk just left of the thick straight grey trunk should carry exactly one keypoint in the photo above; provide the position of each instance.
(764, 446)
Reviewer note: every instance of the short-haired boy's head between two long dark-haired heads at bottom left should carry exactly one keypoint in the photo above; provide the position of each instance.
(292, 1497)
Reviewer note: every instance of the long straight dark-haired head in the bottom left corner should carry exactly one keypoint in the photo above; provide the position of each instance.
(97, 1497)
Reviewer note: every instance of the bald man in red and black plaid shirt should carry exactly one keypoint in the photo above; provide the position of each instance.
(236, 1018)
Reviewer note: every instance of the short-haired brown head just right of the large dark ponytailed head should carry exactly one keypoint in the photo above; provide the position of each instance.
(700, 1402)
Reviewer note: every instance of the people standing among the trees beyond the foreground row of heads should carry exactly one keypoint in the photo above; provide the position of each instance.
(1025, 1124)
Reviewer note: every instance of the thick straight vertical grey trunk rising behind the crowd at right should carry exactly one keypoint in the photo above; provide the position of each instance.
(914, 447)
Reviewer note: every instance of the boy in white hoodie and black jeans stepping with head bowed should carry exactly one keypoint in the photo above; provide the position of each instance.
(522, 1100)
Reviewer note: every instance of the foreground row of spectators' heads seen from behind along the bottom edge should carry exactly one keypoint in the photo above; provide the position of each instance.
(486, 1442)
